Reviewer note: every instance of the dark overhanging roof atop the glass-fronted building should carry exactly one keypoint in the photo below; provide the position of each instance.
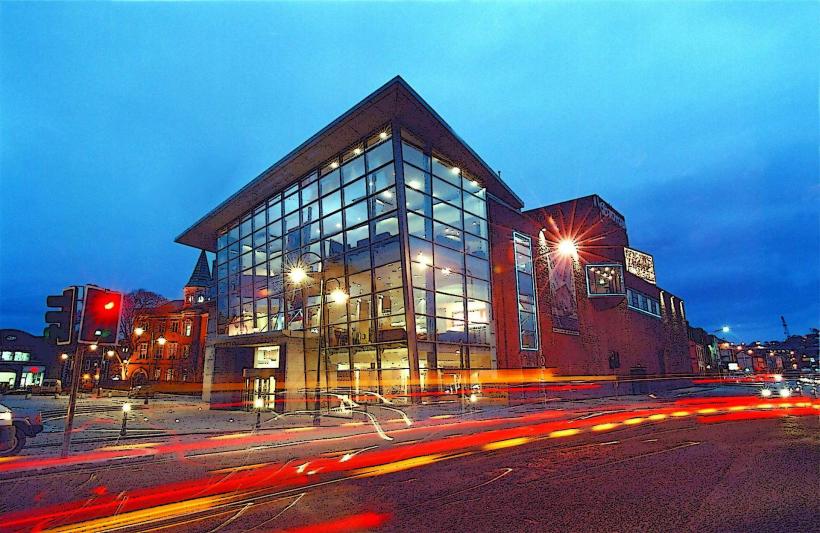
(395, 100)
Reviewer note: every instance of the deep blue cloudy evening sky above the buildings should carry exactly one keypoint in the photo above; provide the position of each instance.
(123, 123)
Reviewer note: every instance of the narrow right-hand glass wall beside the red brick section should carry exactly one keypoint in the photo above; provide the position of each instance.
(449, 252)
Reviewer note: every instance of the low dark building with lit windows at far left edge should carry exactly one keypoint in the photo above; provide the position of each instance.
(25, 359)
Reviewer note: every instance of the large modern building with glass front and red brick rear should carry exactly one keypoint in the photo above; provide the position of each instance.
(419, 271)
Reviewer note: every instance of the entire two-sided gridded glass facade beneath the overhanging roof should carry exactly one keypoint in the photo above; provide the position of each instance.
(352, 223)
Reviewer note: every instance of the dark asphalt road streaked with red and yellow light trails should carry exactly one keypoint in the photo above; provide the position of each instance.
(676, 473)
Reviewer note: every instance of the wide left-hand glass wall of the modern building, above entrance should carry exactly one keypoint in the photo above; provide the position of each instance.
(340, 223)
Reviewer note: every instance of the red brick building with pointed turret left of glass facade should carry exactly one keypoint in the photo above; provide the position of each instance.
(170, 344)
